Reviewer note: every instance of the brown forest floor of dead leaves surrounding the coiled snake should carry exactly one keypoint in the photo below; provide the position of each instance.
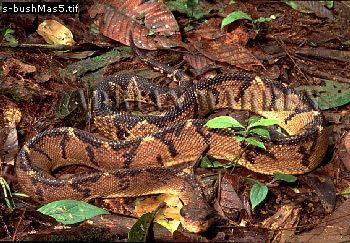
(46, 86)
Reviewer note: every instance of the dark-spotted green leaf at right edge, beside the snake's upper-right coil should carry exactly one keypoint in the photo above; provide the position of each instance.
(330, 95)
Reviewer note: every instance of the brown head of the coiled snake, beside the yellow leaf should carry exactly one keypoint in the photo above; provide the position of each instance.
(197, 219)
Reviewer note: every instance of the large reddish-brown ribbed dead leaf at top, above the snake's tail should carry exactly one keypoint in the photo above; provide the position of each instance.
(117, 19)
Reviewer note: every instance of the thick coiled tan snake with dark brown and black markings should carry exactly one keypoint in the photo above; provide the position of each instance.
(148, 154)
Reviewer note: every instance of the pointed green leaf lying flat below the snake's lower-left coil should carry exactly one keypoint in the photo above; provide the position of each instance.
(71, 211)
